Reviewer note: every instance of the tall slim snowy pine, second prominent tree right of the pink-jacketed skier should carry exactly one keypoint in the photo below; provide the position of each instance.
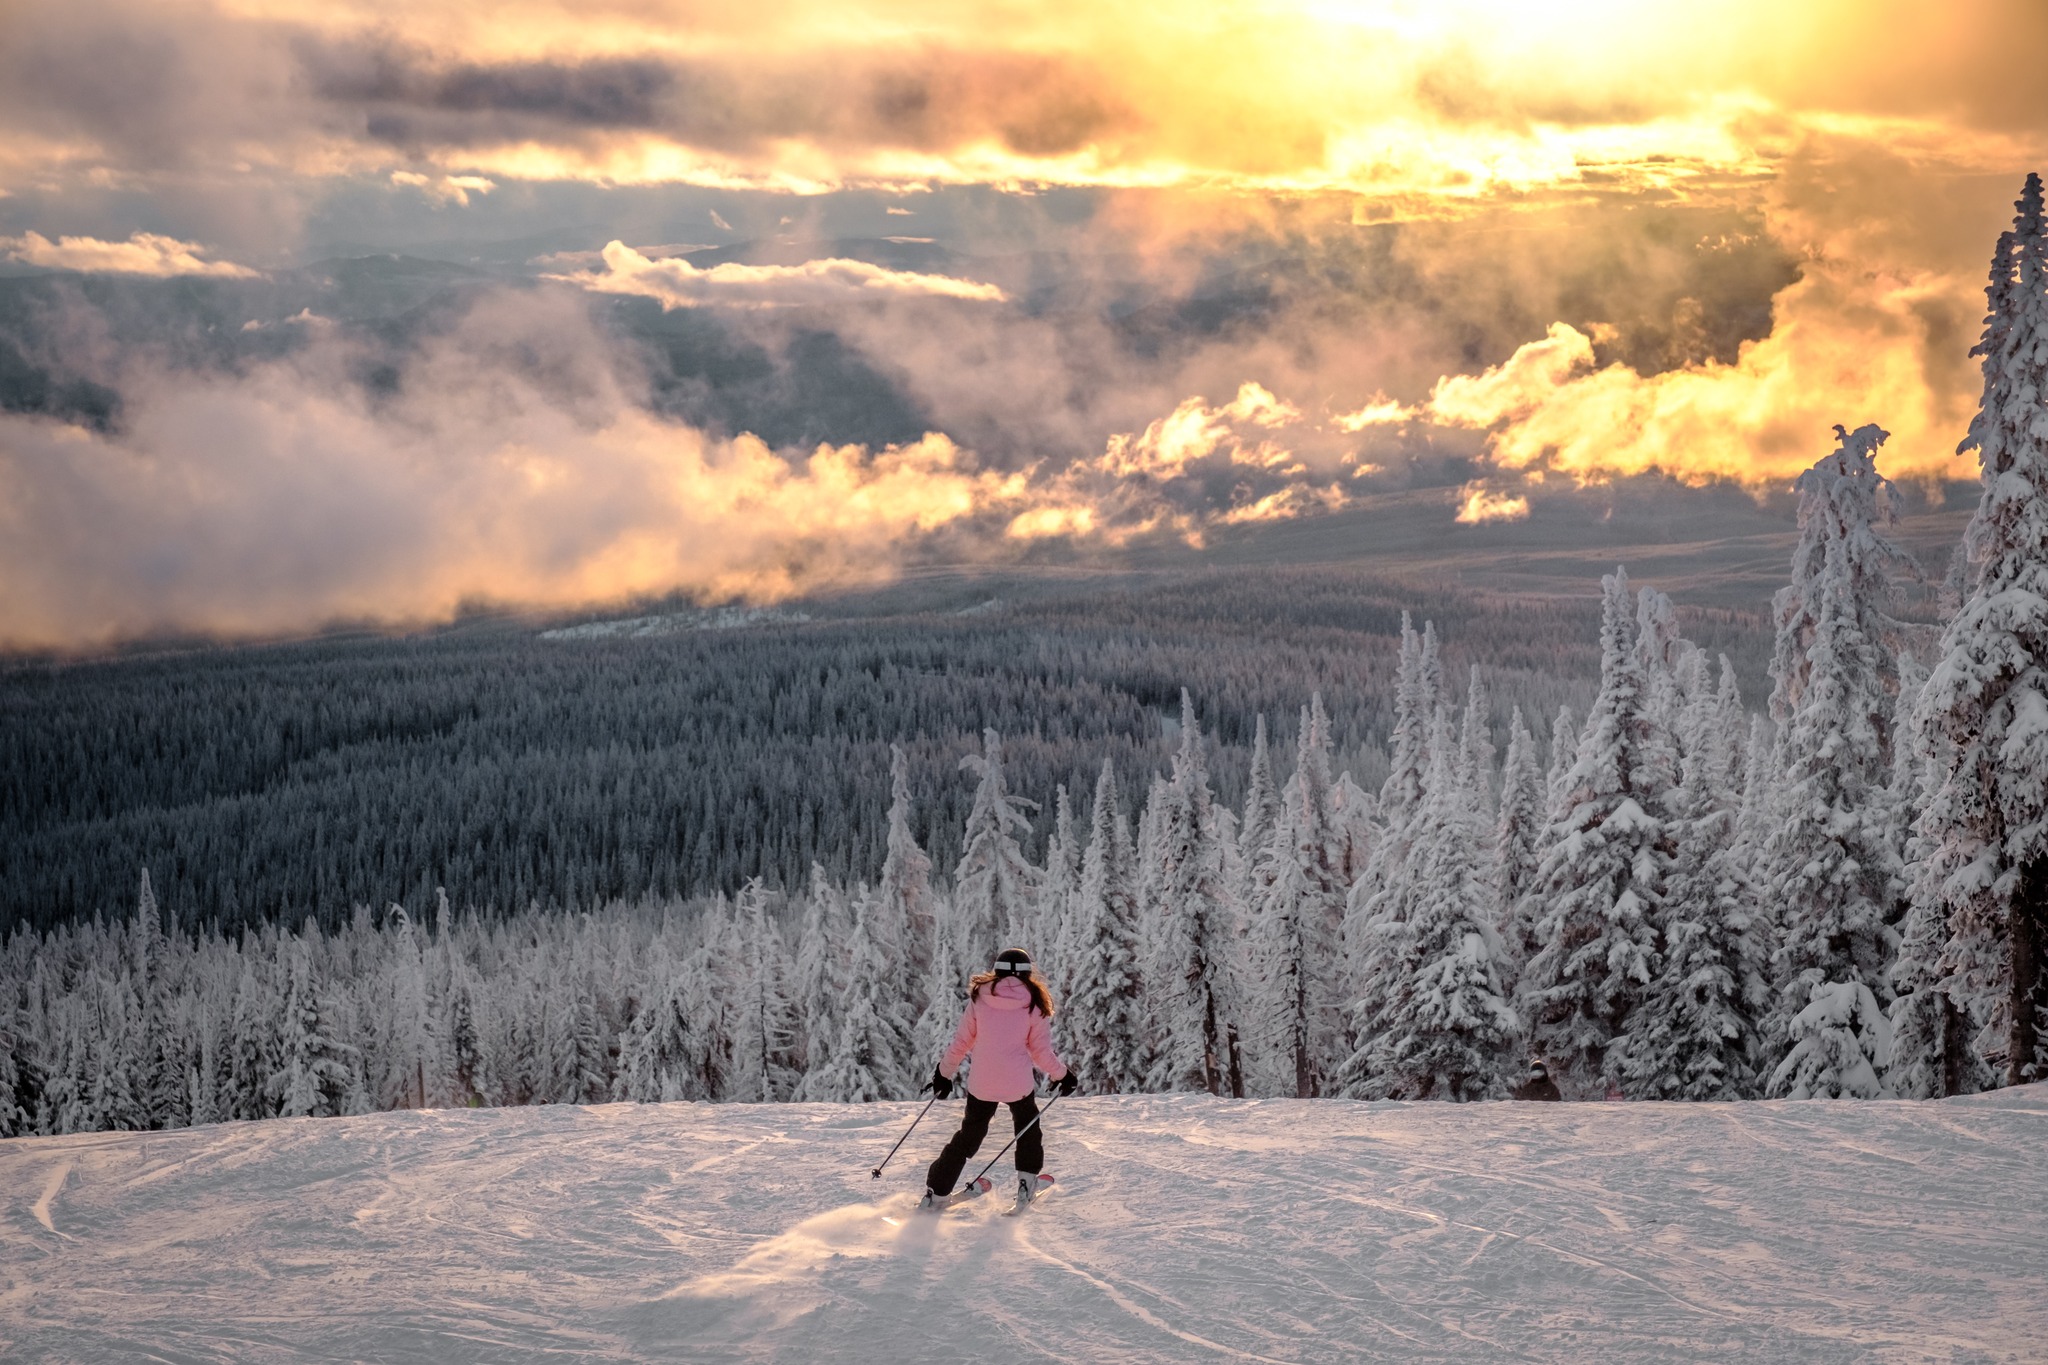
(1189, 975)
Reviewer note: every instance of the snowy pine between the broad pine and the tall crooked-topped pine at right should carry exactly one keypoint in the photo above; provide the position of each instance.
(1695, 1034)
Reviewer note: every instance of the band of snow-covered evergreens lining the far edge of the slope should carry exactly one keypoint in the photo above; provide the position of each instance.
(1658, 889)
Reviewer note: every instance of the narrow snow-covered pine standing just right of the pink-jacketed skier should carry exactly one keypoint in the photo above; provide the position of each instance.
(1101, 1014)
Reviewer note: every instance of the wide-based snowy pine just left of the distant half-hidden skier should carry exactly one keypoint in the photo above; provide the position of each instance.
(1443, 1026)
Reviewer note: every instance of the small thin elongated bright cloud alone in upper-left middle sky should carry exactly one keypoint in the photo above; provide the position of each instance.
(677, 283)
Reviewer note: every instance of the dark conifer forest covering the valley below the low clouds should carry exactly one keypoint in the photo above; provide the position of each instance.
(509, 768)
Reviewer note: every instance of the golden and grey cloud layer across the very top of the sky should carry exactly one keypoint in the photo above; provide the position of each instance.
(1465, 101)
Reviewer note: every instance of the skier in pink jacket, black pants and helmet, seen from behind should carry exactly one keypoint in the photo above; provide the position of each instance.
(1007, 1028)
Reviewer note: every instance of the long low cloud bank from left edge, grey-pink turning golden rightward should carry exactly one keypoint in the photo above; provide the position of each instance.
(515, 461)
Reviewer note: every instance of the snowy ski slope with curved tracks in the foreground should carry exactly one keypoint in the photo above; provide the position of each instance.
(1185, 1229)
